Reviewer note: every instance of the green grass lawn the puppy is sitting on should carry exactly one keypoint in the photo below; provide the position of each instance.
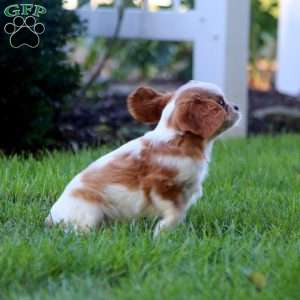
(247, 221)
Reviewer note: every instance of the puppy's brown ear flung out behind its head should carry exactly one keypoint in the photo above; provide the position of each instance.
(146, 104)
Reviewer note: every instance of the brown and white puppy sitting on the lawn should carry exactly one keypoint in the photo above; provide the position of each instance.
(160, 173)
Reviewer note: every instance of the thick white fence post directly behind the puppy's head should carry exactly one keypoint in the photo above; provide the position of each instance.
(220, 52)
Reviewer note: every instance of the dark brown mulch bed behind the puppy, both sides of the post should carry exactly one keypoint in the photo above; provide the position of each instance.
(106, 119)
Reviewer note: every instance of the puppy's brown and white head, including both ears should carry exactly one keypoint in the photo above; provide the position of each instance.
(197, 107)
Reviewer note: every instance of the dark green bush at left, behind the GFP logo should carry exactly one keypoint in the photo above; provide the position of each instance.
(36, 83)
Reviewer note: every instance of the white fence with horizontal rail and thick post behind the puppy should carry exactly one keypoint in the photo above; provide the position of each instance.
(218, 30)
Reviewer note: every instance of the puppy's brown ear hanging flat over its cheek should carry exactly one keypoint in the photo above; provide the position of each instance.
(200, 117)
